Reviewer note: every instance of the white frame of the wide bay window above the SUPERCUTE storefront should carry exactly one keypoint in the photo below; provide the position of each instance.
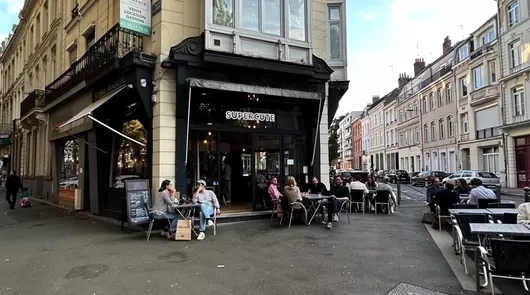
(237, 9)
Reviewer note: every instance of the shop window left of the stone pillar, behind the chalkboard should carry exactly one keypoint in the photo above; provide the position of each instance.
(130, 160)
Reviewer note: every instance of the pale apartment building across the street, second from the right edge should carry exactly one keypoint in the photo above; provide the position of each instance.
(479, 113)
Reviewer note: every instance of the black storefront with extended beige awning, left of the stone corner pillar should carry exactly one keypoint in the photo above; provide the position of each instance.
(100, 111)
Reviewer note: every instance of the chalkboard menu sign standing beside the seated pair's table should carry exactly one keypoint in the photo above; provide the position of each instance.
(137, 198)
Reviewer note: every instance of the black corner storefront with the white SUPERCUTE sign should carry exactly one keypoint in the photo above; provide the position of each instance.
(260, 117)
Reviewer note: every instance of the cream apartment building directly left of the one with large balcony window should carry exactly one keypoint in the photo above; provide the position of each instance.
(438, 113)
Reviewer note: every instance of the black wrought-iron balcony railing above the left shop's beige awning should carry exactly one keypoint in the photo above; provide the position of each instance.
(115, 44)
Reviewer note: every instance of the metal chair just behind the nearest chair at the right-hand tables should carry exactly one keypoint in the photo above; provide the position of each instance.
(465, 239)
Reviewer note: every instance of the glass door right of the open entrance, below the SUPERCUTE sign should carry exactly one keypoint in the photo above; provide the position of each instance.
(267, 165)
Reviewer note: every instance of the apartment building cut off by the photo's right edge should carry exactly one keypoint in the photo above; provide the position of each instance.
(514, 22)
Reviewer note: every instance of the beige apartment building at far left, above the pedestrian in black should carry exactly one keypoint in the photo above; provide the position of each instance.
(30, 61)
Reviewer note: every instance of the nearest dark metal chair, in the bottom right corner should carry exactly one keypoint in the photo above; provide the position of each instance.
(509, 259)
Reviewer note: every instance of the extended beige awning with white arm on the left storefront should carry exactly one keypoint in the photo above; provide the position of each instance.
(86, 114)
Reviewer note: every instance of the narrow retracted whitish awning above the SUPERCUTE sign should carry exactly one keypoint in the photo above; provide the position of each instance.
(227, 86)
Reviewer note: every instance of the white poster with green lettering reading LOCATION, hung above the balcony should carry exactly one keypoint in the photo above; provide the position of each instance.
(135, 15)
